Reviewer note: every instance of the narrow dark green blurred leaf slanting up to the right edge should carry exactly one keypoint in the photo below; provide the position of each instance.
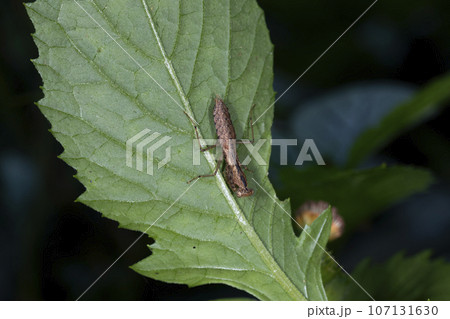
(403, 117)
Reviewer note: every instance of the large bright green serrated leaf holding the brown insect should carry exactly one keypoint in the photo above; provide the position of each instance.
(114, 68)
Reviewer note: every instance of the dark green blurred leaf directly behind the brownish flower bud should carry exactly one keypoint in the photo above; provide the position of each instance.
(357, 194)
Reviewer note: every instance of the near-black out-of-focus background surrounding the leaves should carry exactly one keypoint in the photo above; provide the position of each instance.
(53, 248)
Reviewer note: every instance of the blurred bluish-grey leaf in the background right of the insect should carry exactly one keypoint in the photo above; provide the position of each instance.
(335, 120)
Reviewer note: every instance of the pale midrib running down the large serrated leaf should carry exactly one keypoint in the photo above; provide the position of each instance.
(277, 273)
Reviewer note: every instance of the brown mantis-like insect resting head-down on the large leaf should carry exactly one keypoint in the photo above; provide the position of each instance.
(234, 174)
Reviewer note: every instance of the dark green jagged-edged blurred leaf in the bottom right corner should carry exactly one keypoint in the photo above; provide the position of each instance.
(415, 278)
